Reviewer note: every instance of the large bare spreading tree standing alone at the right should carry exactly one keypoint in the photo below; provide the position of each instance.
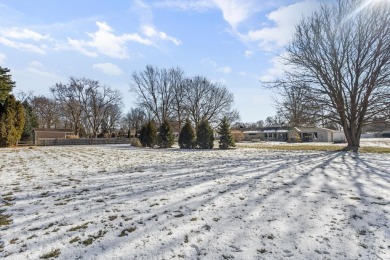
(342, 52)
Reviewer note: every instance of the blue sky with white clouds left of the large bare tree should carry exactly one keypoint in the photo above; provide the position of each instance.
(236, 42)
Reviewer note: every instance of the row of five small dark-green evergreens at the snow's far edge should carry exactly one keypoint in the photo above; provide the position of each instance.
(202, 138)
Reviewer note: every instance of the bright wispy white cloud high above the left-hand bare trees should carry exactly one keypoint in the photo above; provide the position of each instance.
(104, 41)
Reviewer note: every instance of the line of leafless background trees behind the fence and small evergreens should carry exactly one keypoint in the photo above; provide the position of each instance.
(92, 109)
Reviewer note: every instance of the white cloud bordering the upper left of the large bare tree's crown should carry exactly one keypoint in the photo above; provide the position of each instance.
(284, 19)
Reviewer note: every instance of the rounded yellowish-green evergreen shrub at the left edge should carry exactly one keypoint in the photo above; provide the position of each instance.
(11, 122)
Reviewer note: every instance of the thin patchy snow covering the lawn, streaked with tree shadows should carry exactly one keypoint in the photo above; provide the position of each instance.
(118, 202)
